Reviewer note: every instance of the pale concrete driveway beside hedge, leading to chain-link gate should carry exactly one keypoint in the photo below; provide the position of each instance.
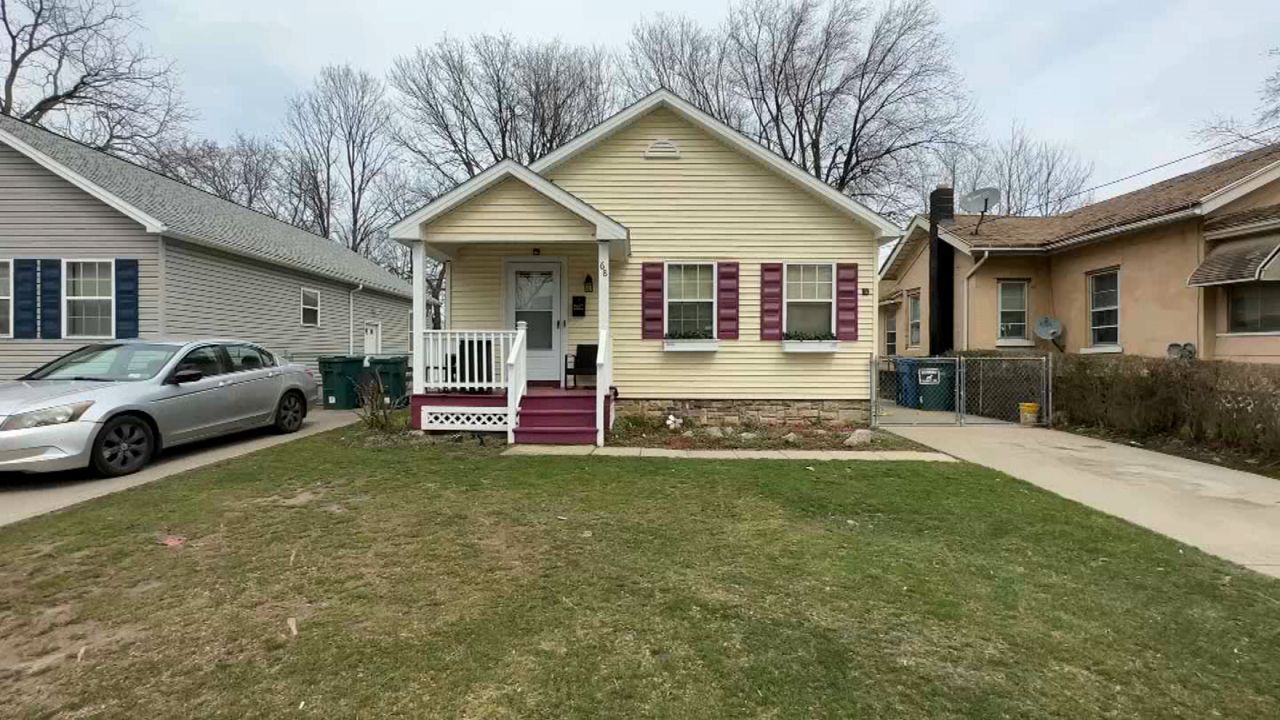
(1228, 513)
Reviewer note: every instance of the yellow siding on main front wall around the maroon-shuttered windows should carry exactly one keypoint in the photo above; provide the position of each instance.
(716, 204)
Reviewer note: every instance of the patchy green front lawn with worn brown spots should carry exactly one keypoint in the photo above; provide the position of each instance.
(446, 581)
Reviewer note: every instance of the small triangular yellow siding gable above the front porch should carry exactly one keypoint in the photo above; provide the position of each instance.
(509, 211)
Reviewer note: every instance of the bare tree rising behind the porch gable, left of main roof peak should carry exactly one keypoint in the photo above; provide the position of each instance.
(469, 106)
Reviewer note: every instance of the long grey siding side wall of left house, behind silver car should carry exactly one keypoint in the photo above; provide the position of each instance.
(221, 295)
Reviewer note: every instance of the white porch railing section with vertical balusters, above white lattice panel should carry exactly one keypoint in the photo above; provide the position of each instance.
(468, 359)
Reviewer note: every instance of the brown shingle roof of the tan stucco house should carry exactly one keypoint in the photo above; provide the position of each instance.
(1153, 202)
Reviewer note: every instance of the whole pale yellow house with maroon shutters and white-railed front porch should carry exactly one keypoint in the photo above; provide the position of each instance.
(664, 265)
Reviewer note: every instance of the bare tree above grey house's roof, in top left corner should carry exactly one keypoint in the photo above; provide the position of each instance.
(72, 66)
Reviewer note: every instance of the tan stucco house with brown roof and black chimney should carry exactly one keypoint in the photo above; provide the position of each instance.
(1188, 262)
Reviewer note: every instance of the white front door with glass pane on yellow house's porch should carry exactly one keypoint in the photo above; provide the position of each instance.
(536, 300)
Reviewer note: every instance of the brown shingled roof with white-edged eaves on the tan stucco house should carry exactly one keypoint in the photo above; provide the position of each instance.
(1187, 195)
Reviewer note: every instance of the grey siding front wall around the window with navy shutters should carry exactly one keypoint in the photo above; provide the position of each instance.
(45, 217)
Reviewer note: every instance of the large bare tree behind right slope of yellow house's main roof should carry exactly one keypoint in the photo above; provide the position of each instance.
(853, 95)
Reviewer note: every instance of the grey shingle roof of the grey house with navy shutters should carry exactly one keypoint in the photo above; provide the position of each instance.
(167, 207)
